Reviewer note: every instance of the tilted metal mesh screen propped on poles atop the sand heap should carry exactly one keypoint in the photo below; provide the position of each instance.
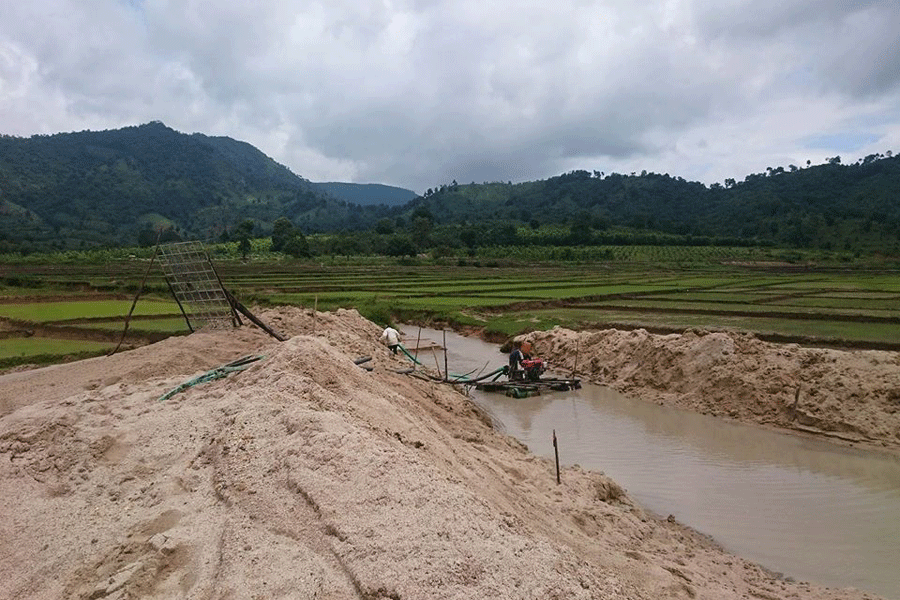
(195, 284)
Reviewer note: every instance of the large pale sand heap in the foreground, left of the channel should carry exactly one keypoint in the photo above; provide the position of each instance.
(306, 476)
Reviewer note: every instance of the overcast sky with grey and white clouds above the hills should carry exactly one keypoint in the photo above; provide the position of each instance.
(416, 93)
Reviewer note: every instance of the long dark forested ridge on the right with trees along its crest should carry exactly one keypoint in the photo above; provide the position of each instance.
(830, 206)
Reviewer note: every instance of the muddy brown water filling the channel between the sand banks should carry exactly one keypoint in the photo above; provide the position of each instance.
(807, 508)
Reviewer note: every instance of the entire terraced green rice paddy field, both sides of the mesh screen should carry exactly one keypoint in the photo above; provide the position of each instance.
(49, 312)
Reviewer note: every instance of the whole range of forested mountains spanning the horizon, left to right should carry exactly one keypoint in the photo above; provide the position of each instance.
(121, 186)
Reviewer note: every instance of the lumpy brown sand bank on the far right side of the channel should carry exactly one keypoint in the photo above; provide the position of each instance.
(850, 395)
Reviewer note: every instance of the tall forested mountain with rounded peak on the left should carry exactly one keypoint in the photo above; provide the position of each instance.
(114, 187)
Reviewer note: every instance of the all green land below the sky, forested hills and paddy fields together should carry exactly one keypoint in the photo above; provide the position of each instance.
(809, 255)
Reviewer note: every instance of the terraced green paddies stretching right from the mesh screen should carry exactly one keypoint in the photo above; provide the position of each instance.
(780, 301)
